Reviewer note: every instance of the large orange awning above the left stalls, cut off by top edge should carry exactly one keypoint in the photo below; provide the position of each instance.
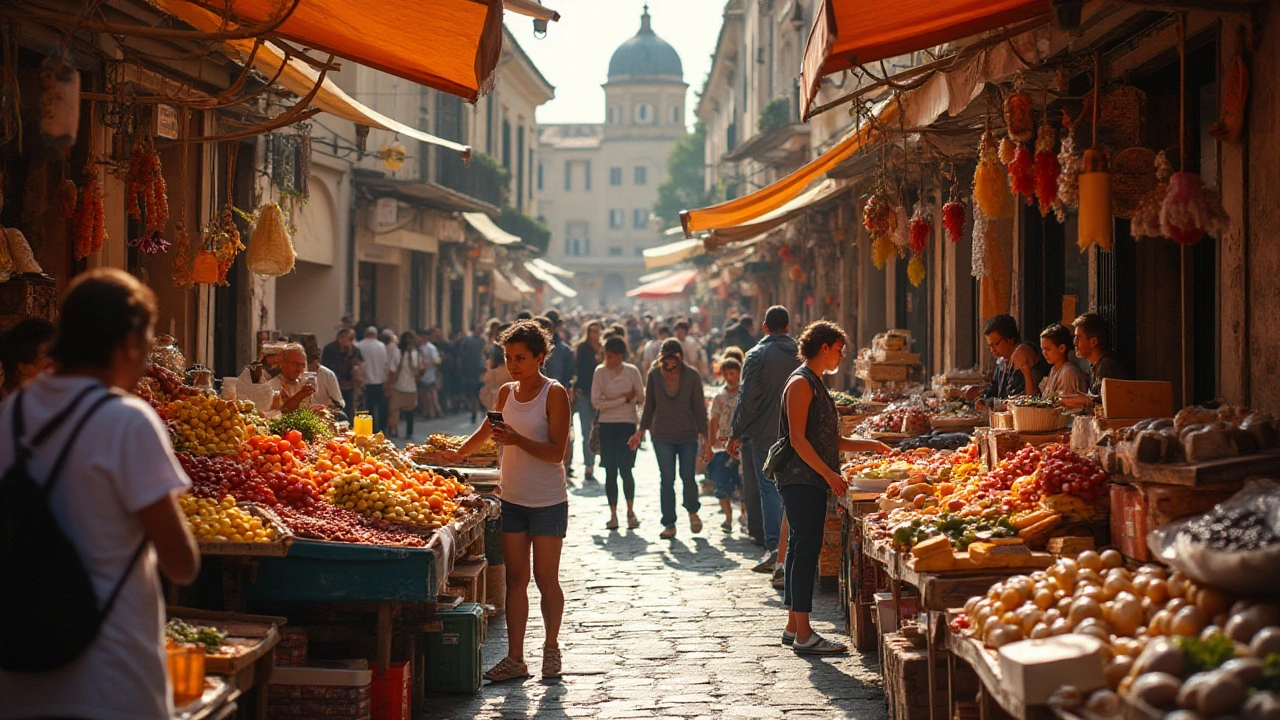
(451, 45)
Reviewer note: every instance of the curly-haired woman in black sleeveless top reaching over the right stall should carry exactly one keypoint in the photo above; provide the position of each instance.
(813, 426)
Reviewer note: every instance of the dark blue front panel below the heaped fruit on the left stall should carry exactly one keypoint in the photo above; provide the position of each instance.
(332, 572)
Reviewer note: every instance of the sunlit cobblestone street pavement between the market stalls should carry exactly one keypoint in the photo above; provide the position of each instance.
(670, 630)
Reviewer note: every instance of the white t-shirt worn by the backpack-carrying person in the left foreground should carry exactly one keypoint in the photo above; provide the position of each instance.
(121, 463)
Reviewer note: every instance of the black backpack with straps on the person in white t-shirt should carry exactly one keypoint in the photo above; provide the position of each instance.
(49, 613)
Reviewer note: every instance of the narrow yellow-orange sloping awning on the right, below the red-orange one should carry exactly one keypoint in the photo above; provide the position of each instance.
(766, 200)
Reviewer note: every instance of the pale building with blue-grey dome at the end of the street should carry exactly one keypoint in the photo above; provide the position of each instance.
(597, 184)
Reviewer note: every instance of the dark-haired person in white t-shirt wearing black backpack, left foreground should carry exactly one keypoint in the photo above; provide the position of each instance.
(81, 612)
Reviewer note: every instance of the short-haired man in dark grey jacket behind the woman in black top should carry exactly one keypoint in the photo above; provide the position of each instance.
(756, 422)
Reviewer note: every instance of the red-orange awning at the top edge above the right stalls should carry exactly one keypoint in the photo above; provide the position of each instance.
(851, 33)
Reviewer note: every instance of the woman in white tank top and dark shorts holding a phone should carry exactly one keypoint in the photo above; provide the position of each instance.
(532, 422)
